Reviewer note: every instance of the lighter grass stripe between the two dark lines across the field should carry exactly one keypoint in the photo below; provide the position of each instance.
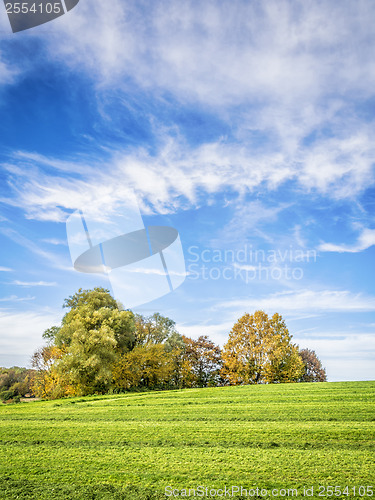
(252, 434)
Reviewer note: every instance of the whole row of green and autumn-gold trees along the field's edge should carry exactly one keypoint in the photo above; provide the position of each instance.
(100, 347)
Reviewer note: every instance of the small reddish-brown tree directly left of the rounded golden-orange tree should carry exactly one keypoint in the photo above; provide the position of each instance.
(204, 359)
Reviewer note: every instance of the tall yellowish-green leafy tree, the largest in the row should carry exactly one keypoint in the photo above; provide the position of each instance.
(92, 334)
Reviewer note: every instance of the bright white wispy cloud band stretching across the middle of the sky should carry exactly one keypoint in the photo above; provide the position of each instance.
(177, 176)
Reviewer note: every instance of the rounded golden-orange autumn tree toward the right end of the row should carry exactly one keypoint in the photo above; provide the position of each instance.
(259, 350)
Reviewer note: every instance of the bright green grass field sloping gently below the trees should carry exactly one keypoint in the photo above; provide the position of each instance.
(132, 446)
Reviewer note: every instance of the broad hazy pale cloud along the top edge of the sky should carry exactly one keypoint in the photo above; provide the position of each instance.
(222, 55)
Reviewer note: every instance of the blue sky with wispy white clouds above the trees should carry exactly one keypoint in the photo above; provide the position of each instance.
(248, 126)
